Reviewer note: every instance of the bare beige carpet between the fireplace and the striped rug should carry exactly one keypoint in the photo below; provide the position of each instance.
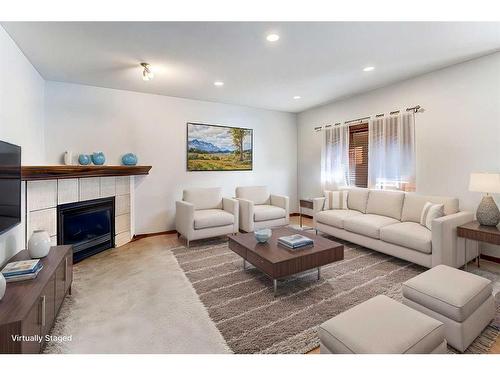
(135, 299)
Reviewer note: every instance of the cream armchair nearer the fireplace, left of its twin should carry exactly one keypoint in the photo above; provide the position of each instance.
(204, 213)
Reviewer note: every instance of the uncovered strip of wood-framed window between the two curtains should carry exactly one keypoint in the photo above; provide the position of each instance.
(358, 155)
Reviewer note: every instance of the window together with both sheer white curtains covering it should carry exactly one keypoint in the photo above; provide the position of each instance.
(382, 157)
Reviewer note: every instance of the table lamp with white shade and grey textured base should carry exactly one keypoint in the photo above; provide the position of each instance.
(487, 211)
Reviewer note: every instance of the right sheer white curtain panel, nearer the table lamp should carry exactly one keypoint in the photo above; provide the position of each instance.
(391, 152)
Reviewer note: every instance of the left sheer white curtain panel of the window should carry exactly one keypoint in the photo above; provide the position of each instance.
(335, 157)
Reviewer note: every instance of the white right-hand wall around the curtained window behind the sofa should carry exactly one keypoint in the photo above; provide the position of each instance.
(458, 133)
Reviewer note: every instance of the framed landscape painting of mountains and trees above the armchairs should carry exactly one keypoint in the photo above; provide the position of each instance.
(219, 148)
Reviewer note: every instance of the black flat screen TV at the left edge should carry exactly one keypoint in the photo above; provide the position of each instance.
(10, 186)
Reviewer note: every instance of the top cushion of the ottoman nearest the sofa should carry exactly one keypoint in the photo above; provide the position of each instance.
(448, 291)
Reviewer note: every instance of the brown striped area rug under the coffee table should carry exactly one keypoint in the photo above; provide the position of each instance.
(251, 320)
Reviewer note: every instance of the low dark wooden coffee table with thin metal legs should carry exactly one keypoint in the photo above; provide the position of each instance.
(277, 261)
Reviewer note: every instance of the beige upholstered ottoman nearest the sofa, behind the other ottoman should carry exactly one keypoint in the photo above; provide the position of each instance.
(461, 300)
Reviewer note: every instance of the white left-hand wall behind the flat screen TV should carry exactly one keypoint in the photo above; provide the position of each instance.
(21, 120)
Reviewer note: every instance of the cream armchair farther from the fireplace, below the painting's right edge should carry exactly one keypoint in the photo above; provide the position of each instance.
(260, 209)
